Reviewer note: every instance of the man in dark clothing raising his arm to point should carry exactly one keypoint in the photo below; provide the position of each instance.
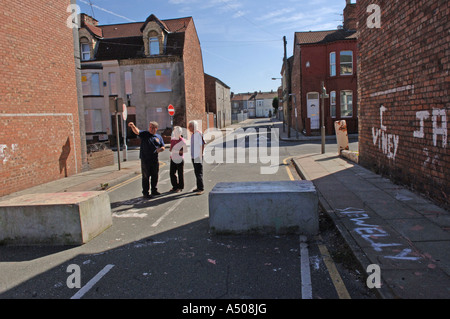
(151, 145)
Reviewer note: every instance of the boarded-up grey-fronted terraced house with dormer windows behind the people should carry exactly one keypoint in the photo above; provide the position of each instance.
(146, 65)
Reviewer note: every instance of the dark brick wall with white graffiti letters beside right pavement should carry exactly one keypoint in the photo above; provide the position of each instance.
(404, 93)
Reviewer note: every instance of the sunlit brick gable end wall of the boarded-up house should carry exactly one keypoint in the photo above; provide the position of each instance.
(194, 77)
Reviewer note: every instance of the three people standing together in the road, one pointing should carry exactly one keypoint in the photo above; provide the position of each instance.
(152, 144)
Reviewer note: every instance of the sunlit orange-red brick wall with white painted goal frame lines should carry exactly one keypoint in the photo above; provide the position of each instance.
(39, 130)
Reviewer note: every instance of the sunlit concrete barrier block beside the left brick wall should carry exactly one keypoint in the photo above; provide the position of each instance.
(54, 219)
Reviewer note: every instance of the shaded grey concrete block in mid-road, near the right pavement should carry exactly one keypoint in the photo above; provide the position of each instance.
(264, 207)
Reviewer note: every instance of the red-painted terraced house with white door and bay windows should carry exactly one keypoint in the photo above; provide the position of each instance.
(327, 57)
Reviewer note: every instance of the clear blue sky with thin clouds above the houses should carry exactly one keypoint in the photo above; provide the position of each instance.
(241, 40)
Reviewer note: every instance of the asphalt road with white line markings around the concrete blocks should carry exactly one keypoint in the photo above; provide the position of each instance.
(162, 248)
